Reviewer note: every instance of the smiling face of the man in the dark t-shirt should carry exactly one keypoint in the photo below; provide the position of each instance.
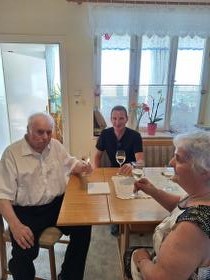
(119, 120)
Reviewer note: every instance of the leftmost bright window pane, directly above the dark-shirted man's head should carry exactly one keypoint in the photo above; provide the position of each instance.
(115, 60)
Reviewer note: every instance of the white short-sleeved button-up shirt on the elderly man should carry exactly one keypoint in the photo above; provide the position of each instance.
(30, 178)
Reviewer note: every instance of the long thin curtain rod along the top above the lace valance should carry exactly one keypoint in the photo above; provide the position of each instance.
(180, 3)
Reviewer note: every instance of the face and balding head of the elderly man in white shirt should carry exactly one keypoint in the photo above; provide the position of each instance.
(39, 132)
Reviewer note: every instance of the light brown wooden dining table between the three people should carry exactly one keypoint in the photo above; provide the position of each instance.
(81, 208)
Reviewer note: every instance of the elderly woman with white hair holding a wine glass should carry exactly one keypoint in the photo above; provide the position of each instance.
(182, 241)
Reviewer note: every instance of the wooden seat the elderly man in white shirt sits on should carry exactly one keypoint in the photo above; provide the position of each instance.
(47, 240)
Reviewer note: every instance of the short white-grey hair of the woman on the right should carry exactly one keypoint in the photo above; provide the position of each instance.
(197, 147)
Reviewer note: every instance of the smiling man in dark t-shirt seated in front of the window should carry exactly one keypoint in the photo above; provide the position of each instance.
(119, 137)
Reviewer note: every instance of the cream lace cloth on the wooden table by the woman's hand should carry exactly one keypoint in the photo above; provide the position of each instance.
(124, 188)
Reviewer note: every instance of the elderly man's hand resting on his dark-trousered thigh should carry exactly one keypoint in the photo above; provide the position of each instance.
(22, 235)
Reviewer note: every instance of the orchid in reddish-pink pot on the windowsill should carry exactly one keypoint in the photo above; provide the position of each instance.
(153, 115)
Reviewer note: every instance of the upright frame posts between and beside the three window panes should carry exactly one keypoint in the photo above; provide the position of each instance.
(134, 71)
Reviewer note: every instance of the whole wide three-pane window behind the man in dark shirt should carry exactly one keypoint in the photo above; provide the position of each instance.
(134, 68)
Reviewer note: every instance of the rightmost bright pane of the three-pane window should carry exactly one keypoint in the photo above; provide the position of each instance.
(187, 83)
